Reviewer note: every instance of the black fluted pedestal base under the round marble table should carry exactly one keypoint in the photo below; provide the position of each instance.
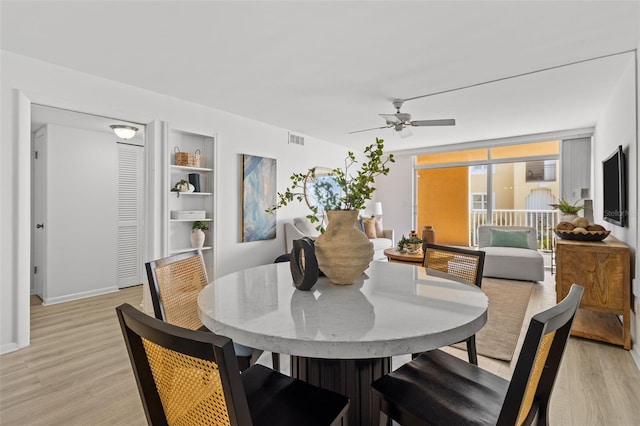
(350, 377)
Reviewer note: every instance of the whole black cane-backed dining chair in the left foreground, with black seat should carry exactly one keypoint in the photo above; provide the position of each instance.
(191, 377)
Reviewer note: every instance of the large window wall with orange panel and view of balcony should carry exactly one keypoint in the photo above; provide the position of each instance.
(507, 185)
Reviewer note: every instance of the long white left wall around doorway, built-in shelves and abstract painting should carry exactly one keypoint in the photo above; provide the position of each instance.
(25, 80)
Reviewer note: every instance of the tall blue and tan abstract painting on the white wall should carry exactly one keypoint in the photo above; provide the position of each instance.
(259, 194)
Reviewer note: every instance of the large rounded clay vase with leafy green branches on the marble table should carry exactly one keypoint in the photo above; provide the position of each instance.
(343, 251)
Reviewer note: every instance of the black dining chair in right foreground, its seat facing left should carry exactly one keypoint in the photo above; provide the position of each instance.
(440, 389)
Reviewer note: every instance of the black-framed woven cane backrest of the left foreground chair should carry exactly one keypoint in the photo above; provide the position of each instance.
(184, 377)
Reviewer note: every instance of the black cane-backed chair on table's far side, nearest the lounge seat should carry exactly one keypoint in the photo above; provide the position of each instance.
(458, 264)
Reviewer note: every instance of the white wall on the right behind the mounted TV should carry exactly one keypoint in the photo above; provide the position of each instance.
(617, 126)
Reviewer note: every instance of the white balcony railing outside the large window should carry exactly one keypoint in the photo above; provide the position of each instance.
(544, 221)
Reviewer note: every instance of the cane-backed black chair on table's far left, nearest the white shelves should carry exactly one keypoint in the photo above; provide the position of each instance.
(175, 283)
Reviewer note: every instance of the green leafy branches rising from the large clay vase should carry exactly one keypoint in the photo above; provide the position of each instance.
(355, 186)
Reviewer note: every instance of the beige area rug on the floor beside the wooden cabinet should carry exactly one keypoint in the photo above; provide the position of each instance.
(508, 302)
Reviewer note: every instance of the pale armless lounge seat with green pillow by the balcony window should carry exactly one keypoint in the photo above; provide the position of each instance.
(514, 263)
